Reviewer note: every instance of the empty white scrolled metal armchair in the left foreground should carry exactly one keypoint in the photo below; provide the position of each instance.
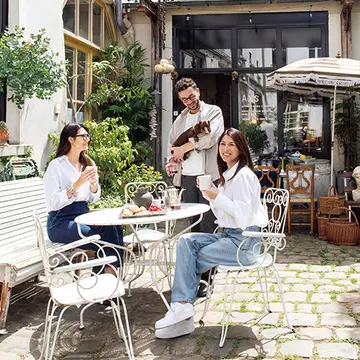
(76, 283)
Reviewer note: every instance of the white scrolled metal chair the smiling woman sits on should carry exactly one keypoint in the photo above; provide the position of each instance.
(272, 239)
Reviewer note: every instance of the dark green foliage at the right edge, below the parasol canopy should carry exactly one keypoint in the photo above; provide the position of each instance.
(347, 126)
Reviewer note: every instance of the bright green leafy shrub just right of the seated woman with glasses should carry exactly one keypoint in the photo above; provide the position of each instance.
(111, 150)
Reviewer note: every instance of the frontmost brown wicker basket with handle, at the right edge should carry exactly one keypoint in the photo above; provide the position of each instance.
(342, 232)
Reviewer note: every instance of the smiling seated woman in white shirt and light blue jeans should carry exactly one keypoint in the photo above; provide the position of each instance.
(237, 205)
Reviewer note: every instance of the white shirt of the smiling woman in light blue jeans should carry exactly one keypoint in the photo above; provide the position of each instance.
(238, 205)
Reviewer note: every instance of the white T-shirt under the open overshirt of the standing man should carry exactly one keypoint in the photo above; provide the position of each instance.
(195, 164)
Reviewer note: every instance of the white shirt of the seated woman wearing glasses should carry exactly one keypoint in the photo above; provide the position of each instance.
(58, 177)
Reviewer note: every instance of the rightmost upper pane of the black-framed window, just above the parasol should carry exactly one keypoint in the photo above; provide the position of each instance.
(301, 43)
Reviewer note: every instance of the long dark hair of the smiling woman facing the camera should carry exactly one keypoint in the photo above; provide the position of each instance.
(244, 156)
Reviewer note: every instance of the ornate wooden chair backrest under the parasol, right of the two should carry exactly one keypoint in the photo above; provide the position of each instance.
(300, 181)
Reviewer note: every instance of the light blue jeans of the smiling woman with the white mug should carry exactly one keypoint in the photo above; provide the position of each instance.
(198, 252)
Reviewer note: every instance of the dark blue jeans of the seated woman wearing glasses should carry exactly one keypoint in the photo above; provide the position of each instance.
(62, 228)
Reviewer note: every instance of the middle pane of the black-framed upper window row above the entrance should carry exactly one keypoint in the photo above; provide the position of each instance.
(256, 48)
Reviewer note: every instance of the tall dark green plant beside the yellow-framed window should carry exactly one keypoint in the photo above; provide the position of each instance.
(120, 90)
